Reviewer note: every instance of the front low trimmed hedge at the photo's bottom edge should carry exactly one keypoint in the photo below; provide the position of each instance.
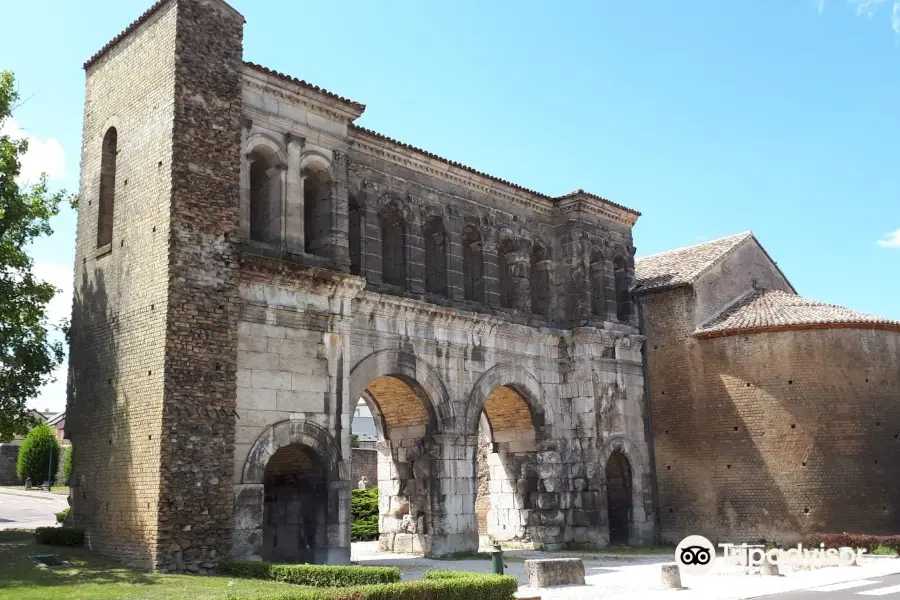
(437, 585)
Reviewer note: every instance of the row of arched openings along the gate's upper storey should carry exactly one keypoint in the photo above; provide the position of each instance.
(382, 239)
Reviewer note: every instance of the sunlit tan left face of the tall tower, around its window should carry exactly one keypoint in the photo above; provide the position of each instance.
(116, 377)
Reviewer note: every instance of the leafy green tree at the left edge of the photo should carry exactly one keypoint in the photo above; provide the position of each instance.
(27, 353)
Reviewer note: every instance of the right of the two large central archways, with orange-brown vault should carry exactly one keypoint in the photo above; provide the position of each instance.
(507, 403)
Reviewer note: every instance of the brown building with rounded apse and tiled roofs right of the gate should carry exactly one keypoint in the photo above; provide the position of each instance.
(774, 416)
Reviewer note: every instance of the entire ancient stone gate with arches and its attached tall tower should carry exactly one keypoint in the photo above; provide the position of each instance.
(250, 263)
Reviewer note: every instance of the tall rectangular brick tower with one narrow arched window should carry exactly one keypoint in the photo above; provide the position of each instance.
(153, 344)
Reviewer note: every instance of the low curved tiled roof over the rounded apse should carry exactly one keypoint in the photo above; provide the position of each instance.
(772, 310)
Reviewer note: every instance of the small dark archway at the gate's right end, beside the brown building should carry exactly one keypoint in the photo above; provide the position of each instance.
(627, 500)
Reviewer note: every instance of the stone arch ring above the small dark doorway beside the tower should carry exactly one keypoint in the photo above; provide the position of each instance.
(285, 433)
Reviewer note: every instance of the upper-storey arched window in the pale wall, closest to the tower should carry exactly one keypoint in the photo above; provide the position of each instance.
(265, 197)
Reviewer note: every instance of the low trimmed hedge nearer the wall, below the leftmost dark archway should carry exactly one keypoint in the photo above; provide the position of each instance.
(325, 576)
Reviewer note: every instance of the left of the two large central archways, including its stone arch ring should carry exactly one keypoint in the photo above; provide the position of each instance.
(410, 405)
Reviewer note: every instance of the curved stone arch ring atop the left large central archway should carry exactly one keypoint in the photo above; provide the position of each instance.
(415, 373)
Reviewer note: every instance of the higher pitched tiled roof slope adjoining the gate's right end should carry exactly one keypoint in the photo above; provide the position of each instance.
(684, 265)
